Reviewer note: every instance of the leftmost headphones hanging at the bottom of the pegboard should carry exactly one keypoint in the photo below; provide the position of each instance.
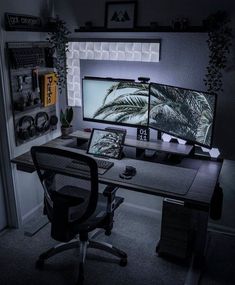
(26, 132)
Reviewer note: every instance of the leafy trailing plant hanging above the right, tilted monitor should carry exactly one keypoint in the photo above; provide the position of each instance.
(219, 42)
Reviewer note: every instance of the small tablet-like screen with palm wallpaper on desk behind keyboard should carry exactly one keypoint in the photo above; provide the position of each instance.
(107, 143)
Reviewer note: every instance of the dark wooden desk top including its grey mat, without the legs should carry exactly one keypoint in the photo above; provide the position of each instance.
(204, 173)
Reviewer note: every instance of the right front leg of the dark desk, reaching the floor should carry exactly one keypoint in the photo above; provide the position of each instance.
(198, 258)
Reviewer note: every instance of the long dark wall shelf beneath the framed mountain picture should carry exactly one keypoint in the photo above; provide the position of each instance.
(191, 29)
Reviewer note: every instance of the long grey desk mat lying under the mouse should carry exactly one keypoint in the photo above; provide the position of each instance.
(154, 176)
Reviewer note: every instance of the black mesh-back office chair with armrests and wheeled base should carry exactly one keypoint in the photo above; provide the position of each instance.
(73, 205)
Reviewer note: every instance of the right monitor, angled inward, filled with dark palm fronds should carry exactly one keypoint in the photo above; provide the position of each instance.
(183, 113)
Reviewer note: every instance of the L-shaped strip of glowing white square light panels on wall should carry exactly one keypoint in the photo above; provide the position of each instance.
(142, 51)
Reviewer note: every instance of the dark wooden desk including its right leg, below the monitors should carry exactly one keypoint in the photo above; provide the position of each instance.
(200, 187)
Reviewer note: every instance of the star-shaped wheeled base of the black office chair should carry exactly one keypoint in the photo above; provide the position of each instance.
(82, 245)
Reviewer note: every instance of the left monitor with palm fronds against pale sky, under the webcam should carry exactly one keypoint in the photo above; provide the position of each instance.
(115, 101)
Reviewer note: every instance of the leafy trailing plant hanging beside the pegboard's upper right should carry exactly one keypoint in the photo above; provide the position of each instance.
(58, 40)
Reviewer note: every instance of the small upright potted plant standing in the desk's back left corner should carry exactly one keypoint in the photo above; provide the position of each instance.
(66, 118)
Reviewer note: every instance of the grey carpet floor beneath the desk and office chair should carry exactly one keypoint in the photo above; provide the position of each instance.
(135, 231)
